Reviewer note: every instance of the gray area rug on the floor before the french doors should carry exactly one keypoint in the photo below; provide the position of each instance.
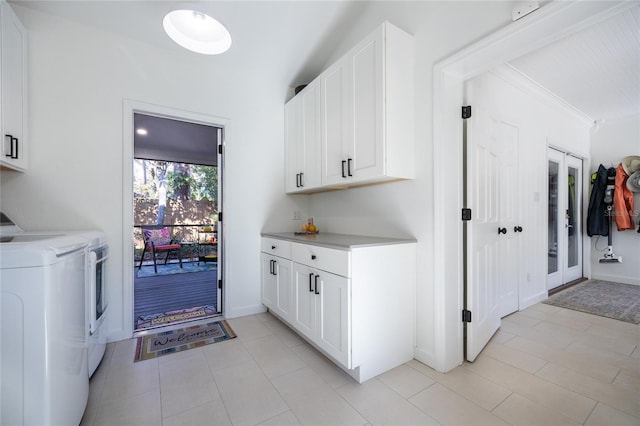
(603, 298)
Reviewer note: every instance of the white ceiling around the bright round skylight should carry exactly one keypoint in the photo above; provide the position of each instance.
(261, 30)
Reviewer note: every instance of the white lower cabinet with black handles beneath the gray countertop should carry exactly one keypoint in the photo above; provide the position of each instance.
(354, 303)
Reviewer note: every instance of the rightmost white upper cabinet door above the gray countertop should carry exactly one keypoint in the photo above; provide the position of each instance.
(365, 146)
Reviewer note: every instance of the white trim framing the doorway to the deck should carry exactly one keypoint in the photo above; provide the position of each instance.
(128, 108)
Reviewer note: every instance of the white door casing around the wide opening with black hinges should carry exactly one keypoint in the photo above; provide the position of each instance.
(550, 23)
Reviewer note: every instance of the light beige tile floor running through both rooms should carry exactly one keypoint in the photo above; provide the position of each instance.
(545, 366)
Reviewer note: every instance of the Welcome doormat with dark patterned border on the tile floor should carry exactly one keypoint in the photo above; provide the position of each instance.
(168, 342)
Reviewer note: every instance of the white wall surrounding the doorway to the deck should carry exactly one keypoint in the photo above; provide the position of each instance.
(78, 78)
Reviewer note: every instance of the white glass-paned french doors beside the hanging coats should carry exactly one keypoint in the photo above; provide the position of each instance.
(564, 244)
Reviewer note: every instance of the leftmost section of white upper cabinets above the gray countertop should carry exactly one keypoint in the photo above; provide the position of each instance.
(302, 140)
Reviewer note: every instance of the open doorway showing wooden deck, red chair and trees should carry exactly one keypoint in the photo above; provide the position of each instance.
(177, 209)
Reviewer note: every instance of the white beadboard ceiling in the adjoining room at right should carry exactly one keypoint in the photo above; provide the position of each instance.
(597, 71)
